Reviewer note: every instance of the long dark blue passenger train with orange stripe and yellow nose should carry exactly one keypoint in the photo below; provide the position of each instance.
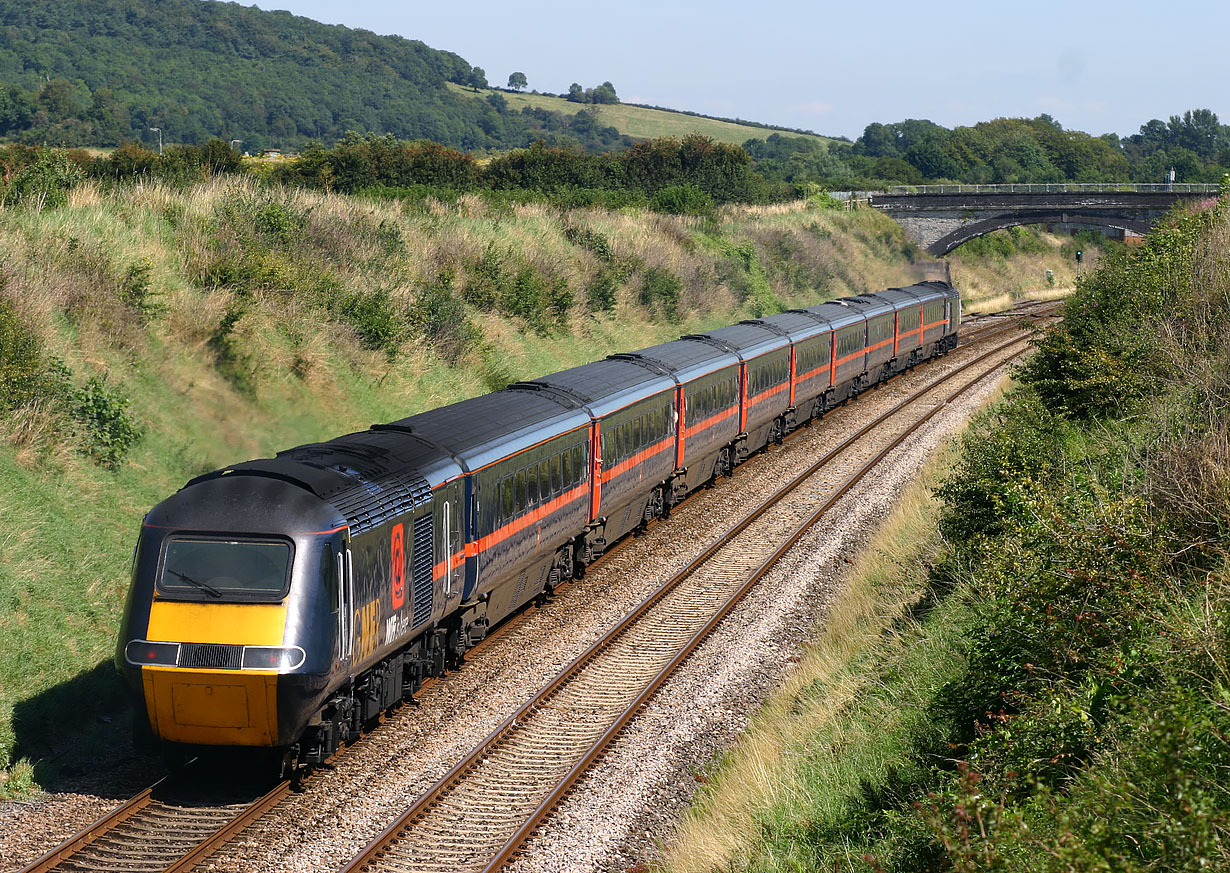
(286, 603)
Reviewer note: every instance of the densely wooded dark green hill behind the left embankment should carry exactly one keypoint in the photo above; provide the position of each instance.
(108, 71)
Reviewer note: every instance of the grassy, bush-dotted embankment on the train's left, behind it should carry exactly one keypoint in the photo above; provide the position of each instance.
(149, 335)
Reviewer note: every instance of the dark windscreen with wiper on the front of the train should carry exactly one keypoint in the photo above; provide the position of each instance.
(205, 570)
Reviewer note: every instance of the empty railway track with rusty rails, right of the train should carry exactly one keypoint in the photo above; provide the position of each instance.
(484, 811)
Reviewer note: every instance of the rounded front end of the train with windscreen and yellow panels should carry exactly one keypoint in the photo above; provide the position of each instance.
(231, 629)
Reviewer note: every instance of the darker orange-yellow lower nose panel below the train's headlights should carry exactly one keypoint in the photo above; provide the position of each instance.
(213, 708)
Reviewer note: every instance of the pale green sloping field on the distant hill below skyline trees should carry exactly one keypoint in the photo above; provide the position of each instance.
(639, 121)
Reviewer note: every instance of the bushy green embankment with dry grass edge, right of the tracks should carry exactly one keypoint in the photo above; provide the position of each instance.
(1053, 695)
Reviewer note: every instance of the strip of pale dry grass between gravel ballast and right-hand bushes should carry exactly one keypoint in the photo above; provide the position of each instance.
(721, 832)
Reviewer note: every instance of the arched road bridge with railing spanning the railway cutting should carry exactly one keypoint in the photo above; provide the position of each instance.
(942, 217)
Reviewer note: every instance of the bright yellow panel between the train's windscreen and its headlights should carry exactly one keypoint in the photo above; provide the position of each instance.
(238, 624)
